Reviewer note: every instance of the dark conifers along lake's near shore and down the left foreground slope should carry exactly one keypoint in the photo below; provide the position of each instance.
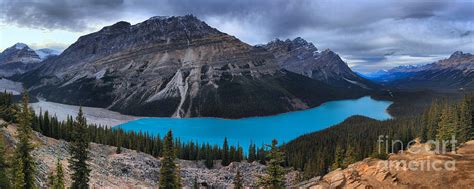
(21, 172)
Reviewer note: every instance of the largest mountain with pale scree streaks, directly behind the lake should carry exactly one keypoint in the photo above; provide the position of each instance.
(174, 66)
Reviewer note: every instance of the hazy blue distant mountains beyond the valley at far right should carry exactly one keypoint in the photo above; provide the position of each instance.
(451, 74)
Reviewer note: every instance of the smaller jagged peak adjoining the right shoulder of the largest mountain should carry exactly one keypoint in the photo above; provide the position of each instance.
(302, 57)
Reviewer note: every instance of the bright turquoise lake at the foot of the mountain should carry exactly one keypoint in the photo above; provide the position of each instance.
(261, 130)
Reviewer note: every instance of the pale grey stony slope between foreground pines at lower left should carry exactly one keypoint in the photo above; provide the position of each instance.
(131, 169)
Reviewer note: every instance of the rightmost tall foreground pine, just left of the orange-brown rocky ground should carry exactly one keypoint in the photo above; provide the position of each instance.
(275, 174)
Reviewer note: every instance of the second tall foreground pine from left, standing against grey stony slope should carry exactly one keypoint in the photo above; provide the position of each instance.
(79, 150)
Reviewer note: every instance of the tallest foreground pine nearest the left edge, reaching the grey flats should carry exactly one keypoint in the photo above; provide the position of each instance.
(24, 162)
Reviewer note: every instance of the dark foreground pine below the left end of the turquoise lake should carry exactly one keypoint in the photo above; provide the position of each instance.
(168, 171)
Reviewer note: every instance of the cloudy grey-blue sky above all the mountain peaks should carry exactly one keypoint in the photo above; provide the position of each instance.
(368, 34)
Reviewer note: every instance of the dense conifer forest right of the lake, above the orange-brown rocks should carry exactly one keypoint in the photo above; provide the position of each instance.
(356, 138)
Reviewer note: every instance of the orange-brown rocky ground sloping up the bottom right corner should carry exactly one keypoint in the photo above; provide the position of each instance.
(405, 170)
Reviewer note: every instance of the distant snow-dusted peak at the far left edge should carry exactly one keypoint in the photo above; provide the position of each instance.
(20, 58)
